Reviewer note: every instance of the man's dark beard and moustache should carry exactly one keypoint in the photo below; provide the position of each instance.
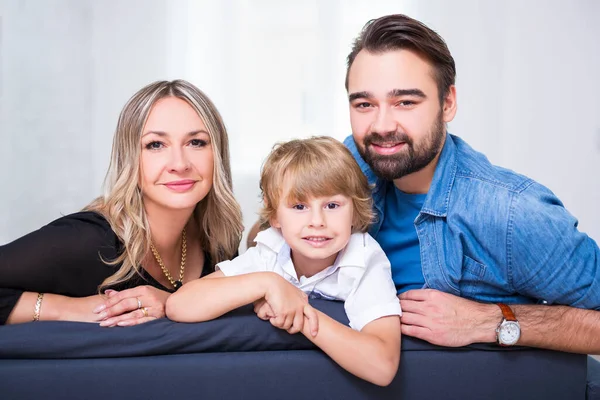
(412, 159)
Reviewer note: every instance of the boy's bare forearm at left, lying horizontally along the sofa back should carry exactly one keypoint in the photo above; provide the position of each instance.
(209, 298)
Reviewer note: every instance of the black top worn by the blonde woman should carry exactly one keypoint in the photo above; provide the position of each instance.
(65, 257)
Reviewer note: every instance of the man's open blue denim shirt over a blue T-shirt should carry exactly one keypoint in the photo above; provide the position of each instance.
(489, 234)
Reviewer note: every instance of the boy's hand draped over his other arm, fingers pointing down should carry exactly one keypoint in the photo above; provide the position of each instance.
(287, 304)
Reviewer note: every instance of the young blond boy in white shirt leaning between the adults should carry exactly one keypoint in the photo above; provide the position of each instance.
(318, 204)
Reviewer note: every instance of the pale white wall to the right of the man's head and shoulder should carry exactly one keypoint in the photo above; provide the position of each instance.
(528, 88)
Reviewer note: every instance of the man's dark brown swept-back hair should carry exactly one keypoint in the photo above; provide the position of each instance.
(397, 32)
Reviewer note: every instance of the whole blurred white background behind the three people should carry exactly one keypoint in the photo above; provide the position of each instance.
(528, 86)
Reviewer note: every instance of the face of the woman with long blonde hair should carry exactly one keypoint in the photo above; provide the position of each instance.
(176, 161)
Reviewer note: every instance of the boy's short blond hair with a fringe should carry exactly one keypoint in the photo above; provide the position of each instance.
(318, 166)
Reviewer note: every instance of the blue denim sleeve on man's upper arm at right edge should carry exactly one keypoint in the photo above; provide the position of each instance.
(548, 257)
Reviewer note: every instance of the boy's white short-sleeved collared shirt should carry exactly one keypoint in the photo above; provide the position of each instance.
(360, 276)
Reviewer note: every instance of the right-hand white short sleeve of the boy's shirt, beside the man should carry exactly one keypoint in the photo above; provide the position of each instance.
(374, 295)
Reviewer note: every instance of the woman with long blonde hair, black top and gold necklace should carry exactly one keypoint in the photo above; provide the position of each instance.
(166, 217)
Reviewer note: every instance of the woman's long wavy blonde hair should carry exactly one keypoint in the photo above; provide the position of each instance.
(218, 214)
